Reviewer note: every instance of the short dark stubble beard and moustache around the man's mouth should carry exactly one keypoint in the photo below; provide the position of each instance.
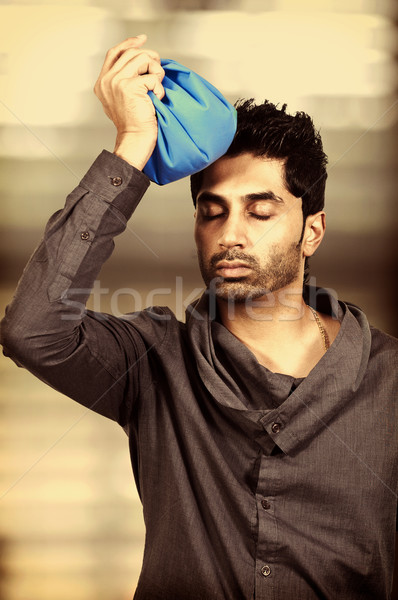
(281, 269)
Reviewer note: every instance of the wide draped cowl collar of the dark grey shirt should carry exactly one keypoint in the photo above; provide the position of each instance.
(259, 399)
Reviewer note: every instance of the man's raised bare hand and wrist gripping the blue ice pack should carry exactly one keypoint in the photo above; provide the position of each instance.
(128, 73)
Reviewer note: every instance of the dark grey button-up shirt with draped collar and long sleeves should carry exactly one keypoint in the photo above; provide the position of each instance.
(253, 484)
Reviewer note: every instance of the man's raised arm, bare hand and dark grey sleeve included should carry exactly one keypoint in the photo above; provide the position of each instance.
(46, 328)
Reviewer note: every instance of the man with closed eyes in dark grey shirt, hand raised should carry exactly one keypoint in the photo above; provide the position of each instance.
(263, 431)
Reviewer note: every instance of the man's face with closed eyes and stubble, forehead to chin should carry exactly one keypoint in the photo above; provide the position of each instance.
(247, 228)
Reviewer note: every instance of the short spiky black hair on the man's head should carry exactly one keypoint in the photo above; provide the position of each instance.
(266, 130)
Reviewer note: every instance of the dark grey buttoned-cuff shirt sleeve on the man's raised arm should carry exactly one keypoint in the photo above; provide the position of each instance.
(92, 358)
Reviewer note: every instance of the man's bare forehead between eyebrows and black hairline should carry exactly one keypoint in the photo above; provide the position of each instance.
(240, 175)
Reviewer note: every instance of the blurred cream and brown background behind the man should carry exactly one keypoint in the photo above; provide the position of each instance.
(70, 519)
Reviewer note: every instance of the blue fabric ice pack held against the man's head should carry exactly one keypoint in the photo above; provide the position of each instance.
(196, 125)
